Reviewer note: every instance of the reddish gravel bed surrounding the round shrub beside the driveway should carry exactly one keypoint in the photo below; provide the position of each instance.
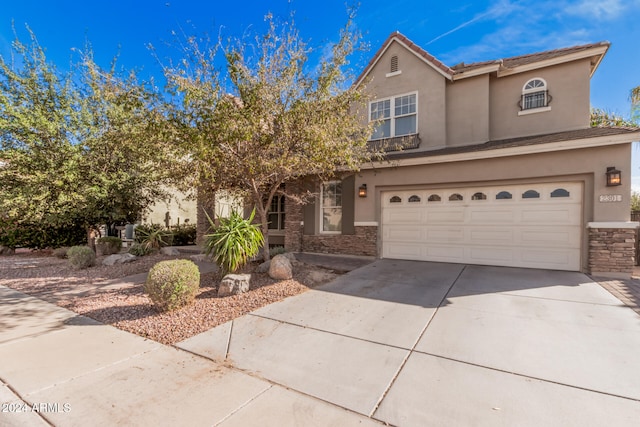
(98, 293)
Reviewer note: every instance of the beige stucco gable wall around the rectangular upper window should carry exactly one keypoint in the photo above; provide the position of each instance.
(418, 76)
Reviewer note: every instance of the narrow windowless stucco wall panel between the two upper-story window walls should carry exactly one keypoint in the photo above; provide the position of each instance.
(468, 111)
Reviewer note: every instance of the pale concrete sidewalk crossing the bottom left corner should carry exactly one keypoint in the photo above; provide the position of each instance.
(62, 369)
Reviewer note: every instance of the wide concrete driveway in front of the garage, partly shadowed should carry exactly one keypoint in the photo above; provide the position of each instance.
(420, 343)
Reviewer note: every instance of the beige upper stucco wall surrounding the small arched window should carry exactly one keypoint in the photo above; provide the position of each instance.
(568, 84)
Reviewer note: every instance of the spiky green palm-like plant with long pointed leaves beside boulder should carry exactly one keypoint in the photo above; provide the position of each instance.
(232, 243)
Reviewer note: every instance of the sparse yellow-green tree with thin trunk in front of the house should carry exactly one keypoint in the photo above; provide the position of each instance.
(271, 116)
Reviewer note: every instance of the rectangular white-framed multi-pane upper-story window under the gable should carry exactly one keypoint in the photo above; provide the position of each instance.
(397, 116)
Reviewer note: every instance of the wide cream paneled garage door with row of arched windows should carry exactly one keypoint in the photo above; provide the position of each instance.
(533, 225)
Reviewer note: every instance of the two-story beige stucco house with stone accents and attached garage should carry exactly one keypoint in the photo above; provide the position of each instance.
(489, 163)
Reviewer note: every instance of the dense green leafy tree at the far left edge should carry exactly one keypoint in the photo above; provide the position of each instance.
(80, 148)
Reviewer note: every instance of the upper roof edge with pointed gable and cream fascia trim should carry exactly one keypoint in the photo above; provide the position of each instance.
(502, 67)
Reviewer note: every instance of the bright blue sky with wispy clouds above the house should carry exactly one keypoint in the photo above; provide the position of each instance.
(453, 32)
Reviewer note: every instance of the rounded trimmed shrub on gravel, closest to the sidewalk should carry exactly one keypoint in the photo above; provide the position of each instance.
(172, 284)
